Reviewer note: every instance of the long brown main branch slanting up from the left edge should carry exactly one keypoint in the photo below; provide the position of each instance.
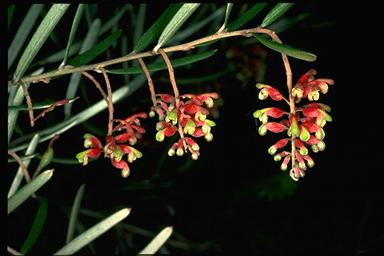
(132, 56)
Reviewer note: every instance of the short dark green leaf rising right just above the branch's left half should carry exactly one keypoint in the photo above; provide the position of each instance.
(96, 50)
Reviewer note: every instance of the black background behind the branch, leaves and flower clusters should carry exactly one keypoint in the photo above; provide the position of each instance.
(214, 204)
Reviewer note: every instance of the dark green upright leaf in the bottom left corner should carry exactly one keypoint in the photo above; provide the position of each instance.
(37, 226)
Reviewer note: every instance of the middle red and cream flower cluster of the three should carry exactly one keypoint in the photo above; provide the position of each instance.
(188, 116)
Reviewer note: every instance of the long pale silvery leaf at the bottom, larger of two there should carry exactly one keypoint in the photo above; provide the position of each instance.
(94, 232)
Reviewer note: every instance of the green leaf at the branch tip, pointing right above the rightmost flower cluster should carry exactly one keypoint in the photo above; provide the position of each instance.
(286, 49)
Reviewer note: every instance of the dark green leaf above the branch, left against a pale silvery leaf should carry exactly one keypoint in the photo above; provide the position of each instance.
(155, 30)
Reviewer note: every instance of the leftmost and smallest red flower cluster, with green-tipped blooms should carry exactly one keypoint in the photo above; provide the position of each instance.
(115, 145)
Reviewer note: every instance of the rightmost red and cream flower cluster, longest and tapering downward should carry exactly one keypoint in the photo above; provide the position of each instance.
(304, 125)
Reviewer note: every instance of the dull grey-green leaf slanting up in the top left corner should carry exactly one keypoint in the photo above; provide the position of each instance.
(23, 32)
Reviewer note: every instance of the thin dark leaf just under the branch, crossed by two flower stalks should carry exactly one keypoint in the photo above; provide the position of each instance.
(162, 66)
